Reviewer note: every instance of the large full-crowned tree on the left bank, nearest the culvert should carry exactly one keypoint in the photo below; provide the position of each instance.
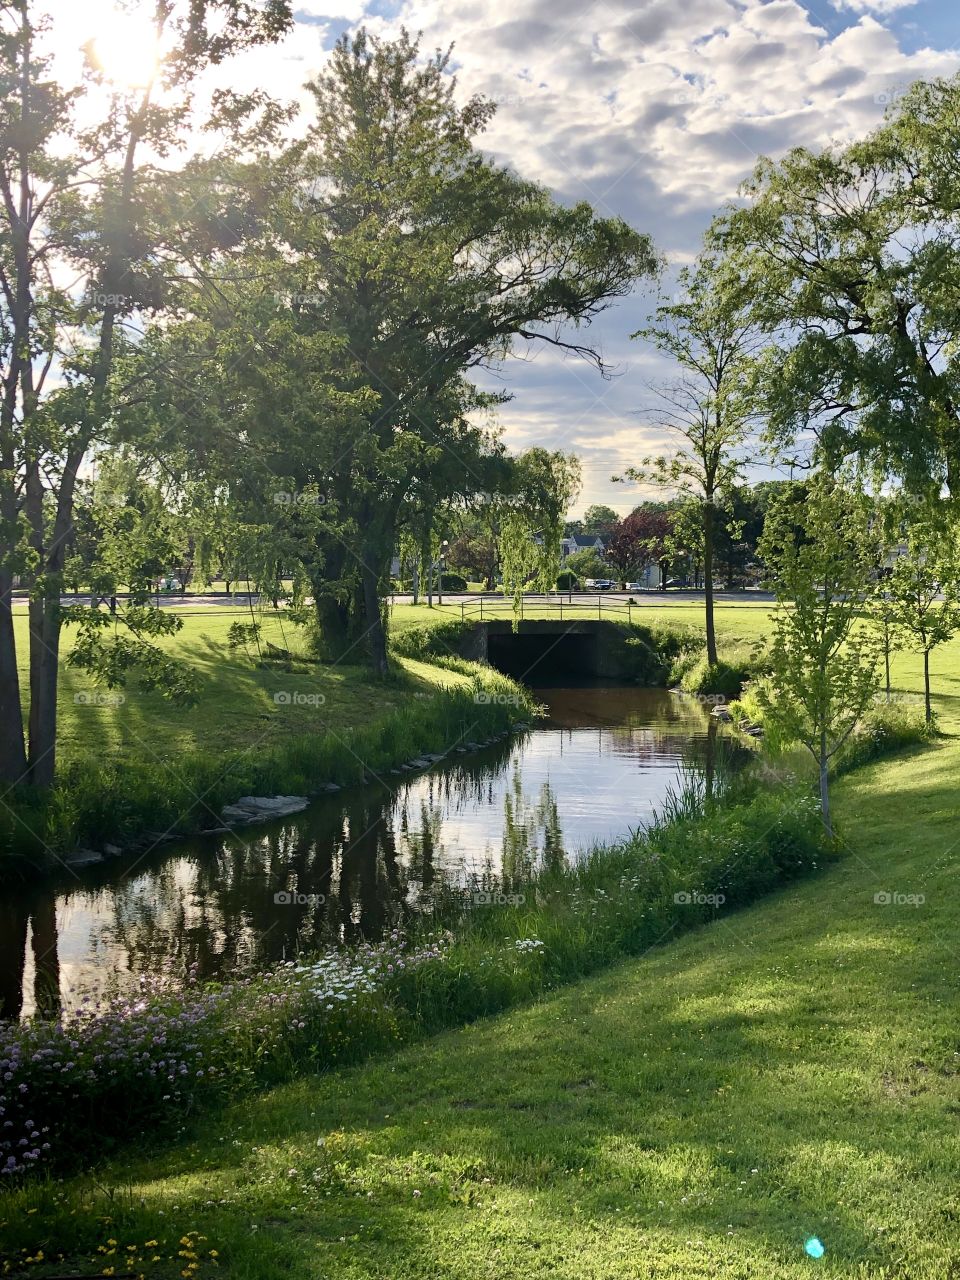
(428, 260)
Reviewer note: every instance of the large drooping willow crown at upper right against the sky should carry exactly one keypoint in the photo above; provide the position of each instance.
(854, 262)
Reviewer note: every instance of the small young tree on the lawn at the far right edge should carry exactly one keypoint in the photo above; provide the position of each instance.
(924, 589)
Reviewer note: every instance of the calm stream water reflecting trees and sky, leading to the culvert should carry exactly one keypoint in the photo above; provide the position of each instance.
(355, 866)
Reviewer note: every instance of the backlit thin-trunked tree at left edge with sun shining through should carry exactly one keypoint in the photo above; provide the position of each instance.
(77, 203)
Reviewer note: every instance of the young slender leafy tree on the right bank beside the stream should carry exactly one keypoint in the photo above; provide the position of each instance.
(821, 557)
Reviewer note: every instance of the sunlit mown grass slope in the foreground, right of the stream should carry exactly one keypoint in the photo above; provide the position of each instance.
(698, 1113)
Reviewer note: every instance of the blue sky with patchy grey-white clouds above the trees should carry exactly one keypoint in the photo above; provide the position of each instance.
(655, 111)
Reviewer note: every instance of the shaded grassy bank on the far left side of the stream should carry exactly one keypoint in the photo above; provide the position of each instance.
(140, 764)
